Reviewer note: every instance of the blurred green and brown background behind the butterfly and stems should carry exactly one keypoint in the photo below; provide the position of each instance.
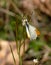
(38, 13)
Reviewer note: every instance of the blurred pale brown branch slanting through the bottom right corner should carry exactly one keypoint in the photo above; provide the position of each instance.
(46, 54)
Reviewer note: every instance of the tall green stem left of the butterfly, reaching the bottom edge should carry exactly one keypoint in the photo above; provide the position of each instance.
(18, 46)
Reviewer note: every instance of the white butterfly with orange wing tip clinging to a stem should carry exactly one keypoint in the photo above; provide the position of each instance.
(32, 32)
